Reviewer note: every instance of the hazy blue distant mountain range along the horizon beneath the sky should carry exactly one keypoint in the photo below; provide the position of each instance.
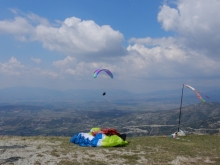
(28, 94)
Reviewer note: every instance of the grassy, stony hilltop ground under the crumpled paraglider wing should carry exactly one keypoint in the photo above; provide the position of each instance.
(192, 149)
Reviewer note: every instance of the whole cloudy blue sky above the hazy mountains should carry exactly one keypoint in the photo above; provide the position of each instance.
(148, 45)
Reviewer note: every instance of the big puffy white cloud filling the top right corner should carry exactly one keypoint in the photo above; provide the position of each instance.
(197, 24)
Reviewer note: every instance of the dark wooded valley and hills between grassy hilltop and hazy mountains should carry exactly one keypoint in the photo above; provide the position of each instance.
(27, 120)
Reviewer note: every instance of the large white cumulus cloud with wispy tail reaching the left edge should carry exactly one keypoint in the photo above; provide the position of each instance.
(73, 37)
